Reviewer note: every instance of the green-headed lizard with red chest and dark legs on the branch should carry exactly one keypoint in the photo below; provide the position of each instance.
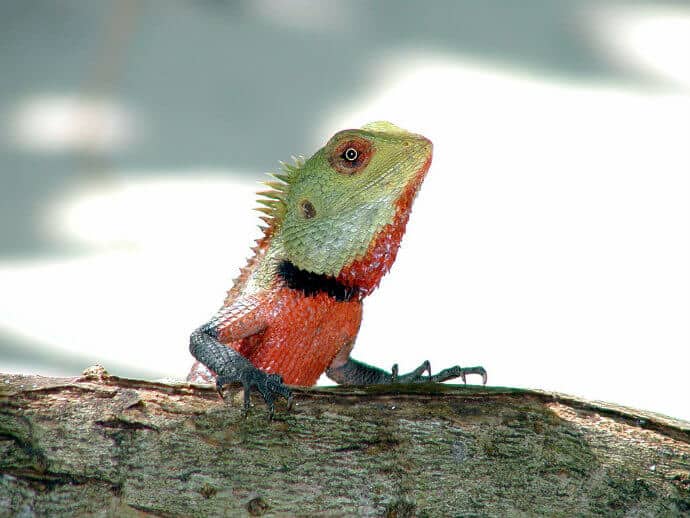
(332, 228)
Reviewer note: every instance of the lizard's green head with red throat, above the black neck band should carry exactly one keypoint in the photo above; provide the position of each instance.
(343, 211)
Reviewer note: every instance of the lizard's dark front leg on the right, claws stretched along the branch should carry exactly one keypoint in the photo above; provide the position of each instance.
(345, 370)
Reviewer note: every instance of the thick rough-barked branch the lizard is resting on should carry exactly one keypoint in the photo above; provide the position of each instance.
(108, 446)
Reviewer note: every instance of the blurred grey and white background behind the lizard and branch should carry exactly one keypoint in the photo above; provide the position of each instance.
(550, 242)
